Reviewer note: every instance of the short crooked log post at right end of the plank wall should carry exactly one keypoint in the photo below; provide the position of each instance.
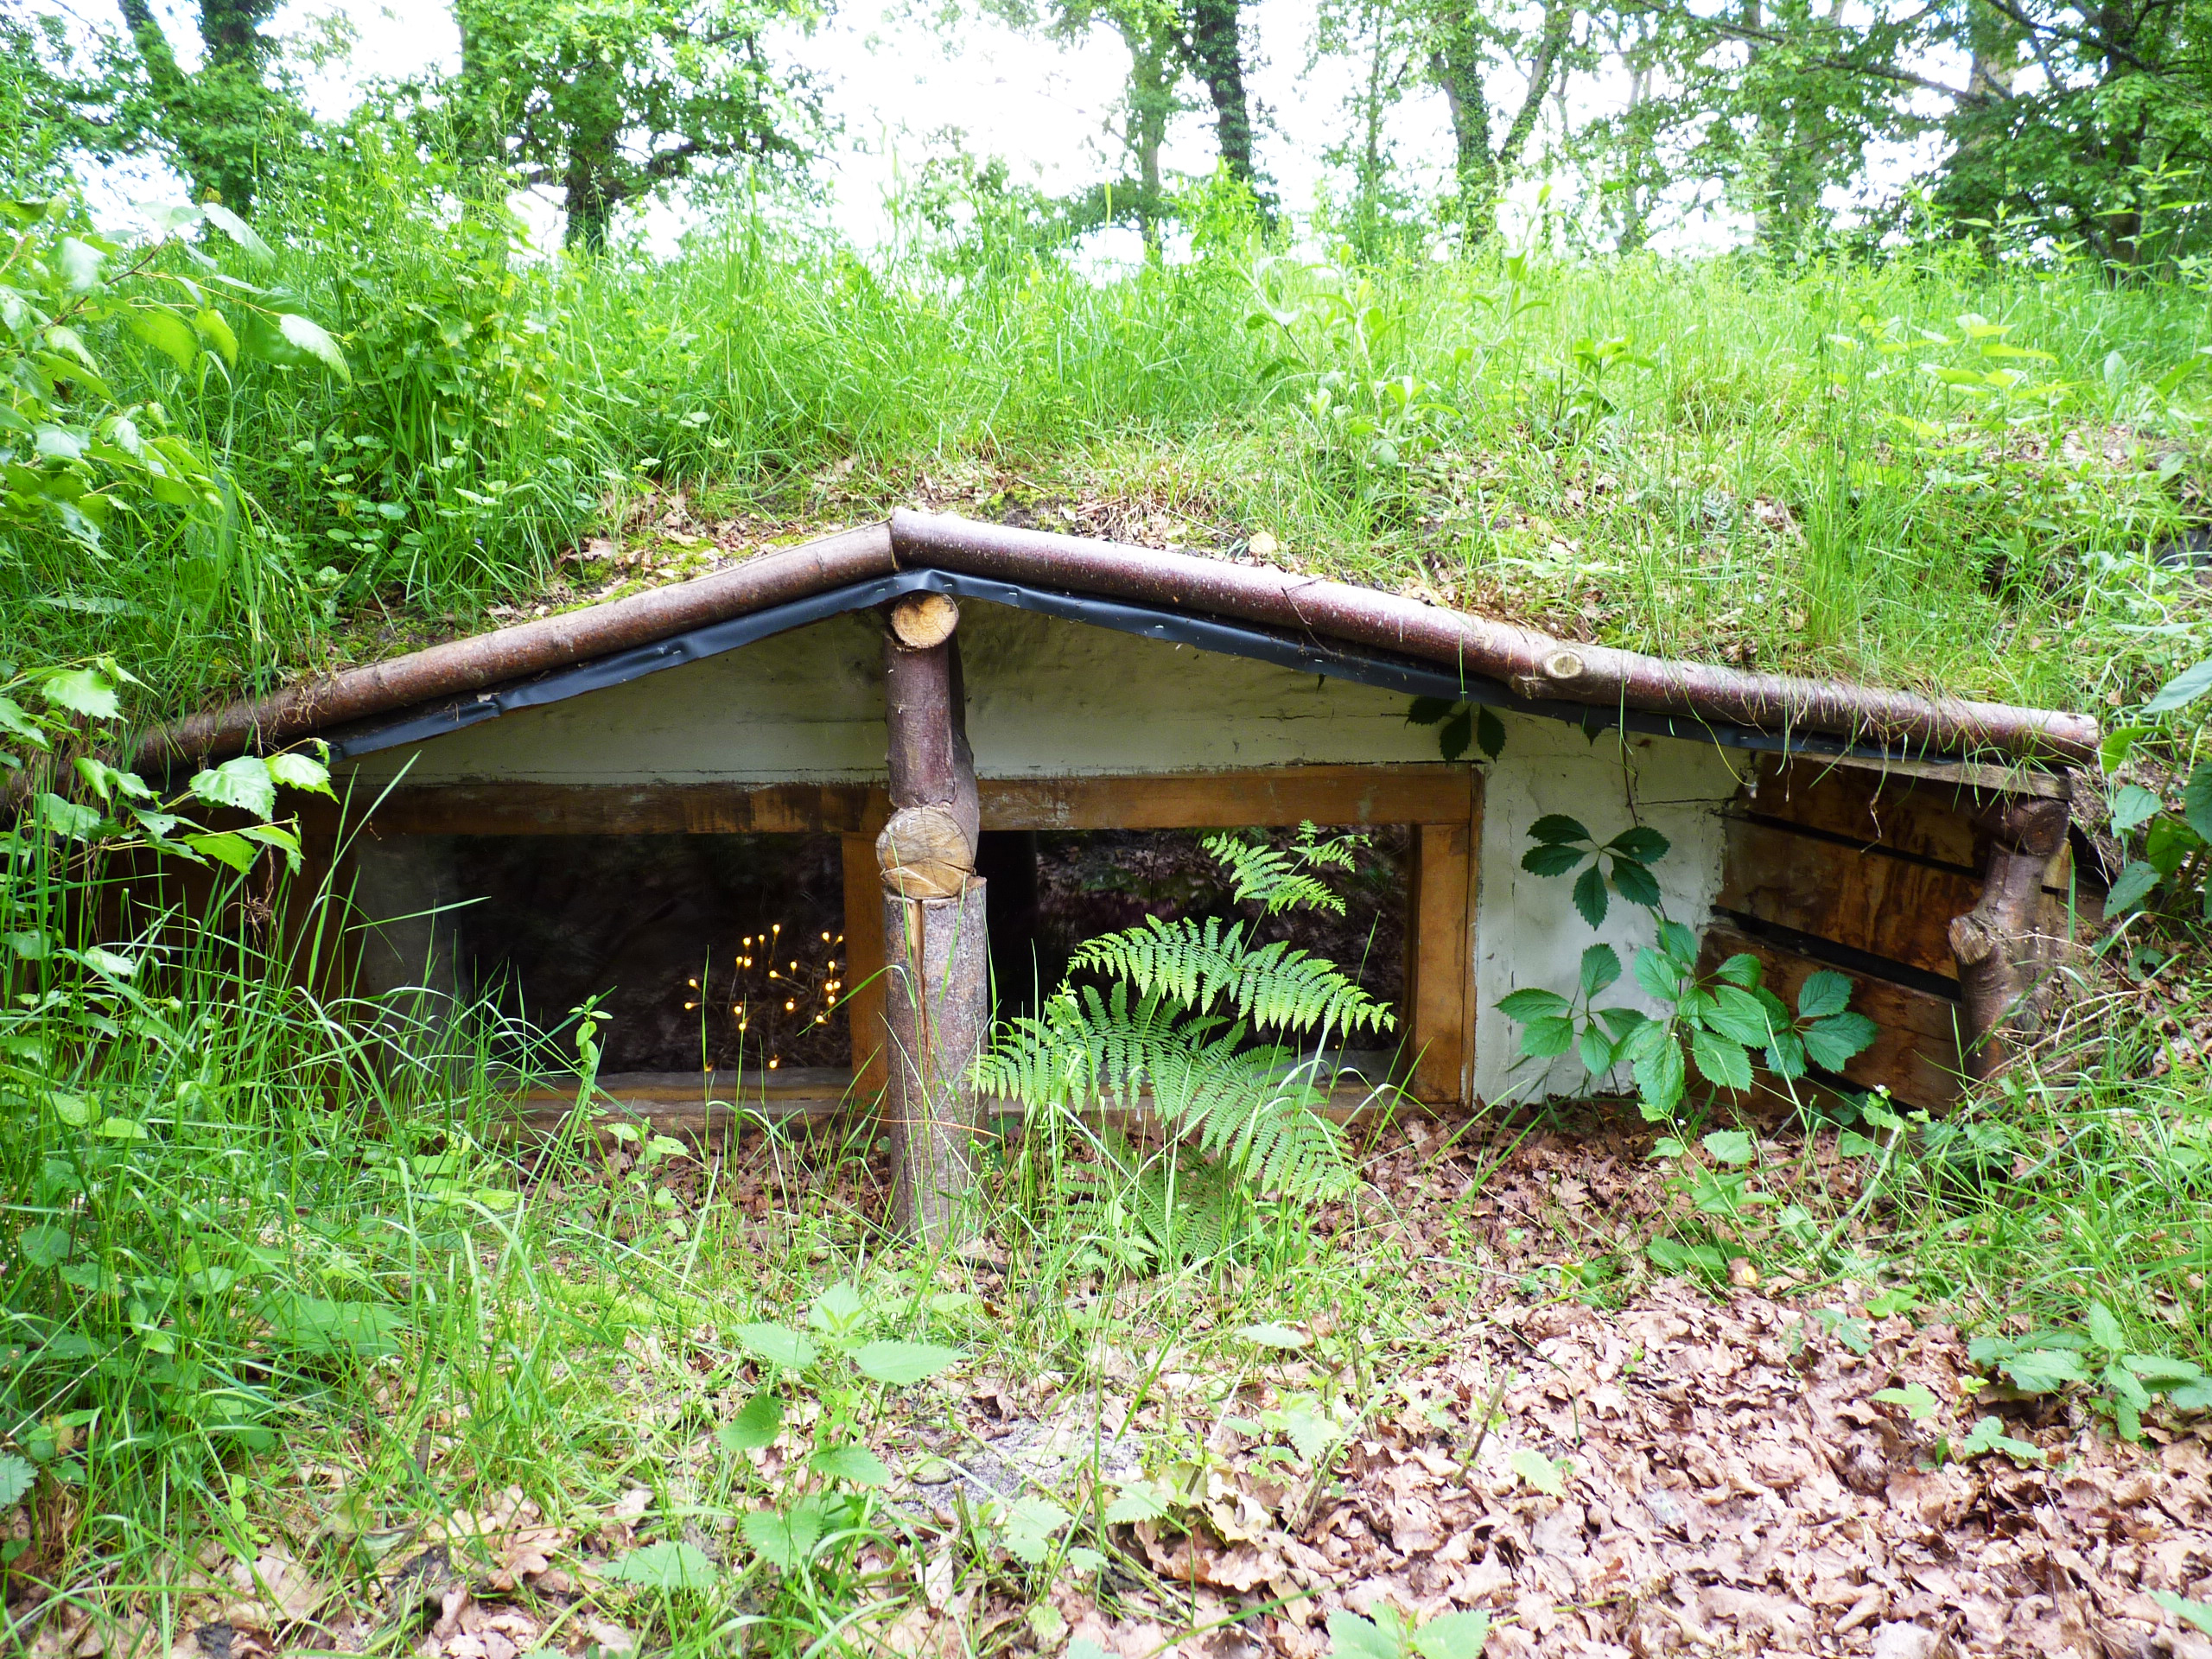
(2003, 950)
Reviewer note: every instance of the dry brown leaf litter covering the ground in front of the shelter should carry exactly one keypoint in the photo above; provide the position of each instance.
(1642, 1465)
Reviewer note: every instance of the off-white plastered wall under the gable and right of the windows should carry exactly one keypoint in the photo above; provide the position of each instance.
(1056, 698)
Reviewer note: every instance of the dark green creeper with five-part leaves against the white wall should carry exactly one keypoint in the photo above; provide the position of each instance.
(1711, 1023)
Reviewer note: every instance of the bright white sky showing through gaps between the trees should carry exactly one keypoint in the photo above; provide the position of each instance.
(897, 85)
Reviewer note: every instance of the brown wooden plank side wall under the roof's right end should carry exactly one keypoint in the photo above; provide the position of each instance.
(1846, 866)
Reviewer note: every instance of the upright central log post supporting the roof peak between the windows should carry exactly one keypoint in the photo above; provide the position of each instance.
(935, 926)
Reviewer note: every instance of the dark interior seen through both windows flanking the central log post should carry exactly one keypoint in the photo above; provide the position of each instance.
(729, 952)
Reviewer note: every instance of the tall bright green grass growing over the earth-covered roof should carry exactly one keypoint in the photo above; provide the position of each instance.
(1762, 466)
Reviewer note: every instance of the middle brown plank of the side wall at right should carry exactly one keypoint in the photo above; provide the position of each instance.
(1859, 897)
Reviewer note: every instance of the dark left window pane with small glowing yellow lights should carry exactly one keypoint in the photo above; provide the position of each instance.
(709, 950)
